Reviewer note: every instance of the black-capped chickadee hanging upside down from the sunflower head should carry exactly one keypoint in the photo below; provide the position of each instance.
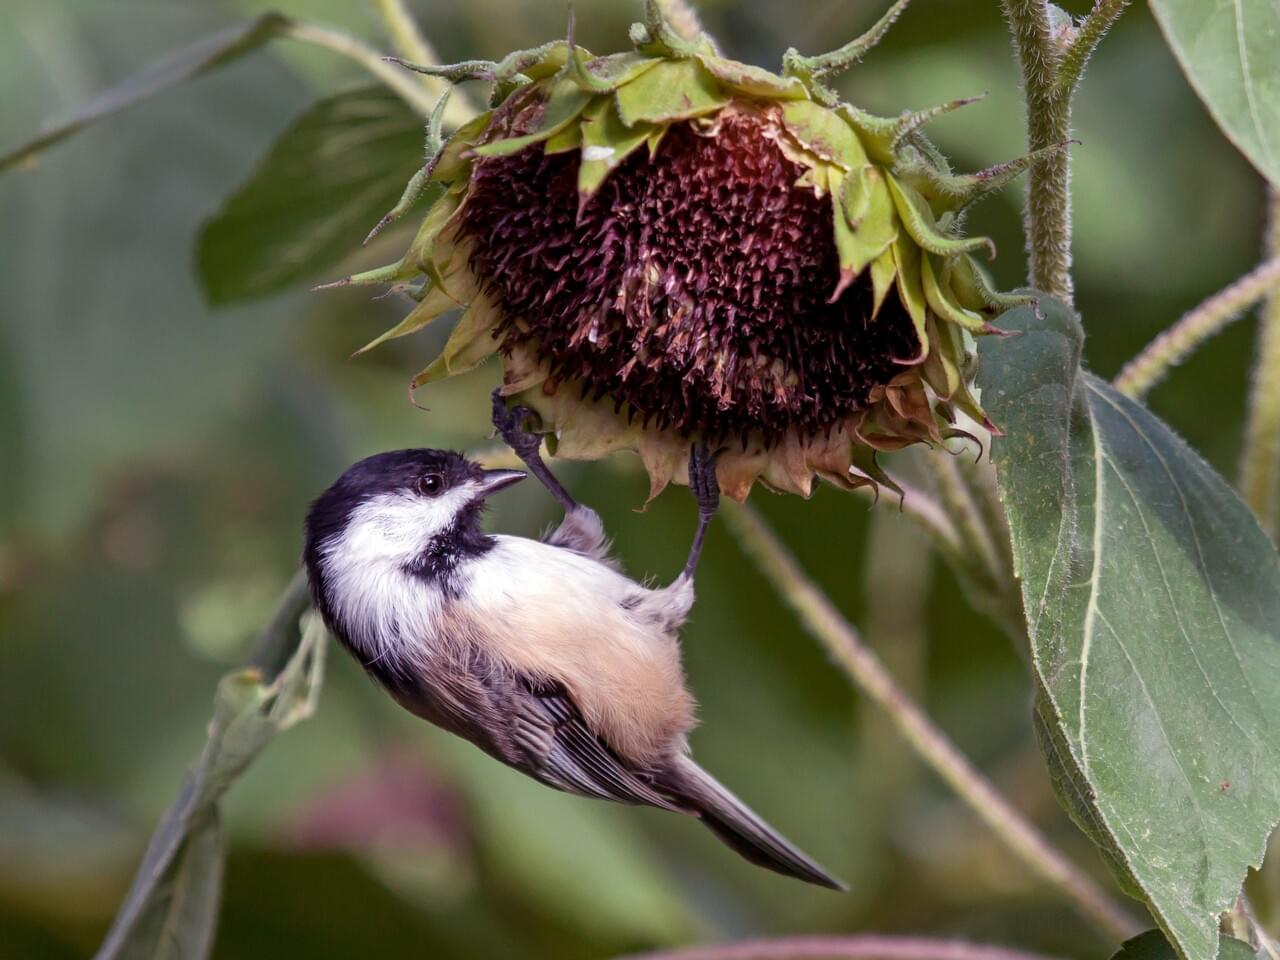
(541, 652)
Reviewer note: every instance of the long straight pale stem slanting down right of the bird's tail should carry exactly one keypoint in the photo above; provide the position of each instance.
(821, 618)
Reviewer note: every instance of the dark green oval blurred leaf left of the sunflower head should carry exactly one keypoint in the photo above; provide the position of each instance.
(319, 190)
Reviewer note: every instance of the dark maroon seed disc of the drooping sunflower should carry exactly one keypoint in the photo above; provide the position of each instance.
(693, 287)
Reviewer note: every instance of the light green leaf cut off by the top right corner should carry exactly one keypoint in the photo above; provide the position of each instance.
(1231, 52)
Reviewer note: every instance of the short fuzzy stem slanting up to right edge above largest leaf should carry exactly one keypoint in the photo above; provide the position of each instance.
(1195, 328)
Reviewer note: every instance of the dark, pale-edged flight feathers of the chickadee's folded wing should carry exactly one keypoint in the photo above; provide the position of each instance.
(565, 753)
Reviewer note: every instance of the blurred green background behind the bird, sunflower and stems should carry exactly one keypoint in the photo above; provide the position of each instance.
(157, 458)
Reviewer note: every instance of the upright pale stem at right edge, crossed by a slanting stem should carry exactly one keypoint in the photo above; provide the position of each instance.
(1260, 468)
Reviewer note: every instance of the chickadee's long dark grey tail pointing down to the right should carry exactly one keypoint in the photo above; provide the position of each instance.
(739, 828)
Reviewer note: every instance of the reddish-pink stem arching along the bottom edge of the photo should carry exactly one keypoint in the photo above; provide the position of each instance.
(860, 948)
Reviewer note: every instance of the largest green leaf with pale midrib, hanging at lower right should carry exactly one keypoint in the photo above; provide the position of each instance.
(1153, 605)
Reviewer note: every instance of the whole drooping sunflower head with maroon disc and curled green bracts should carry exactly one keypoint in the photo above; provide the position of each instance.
(666, 246)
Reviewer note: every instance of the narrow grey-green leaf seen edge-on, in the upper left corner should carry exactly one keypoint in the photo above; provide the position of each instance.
(181, 66)
